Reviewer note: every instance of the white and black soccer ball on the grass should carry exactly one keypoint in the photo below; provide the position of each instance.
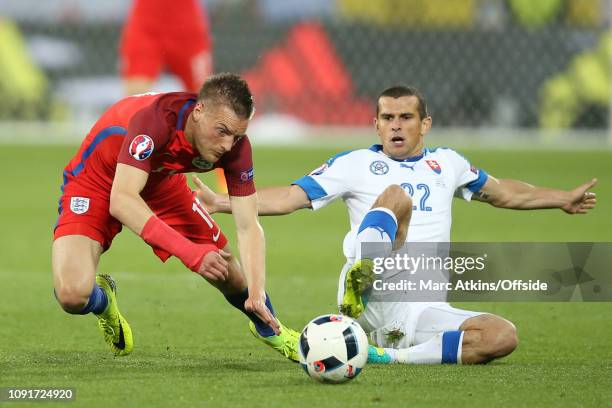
(333, 348)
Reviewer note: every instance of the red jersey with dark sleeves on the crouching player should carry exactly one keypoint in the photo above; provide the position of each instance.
(147, 132)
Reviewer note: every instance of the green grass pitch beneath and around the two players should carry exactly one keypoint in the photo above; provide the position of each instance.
(192, 349)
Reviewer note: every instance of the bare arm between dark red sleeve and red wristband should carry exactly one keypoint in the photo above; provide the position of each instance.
(126, 204)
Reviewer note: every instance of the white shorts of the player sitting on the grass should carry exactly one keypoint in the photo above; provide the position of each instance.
(412, 322)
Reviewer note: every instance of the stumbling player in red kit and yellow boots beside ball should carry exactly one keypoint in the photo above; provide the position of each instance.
(129, 171)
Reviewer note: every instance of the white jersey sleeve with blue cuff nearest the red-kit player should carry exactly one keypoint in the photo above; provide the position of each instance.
(326, 183)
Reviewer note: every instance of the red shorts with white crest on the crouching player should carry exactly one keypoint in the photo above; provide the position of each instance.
(174, 203)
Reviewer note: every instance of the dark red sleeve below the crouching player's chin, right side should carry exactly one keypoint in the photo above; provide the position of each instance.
(238, 168)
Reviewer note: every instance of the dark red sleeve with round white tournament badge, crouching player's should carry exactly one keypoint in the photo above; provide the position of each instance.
(148, 131)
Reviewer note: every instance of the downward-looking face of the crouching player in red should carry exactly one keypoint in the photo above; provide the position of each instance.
(216, 130)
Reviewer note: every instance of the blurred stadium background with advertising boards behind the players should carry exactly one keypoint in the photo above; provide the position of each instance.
(495, 72)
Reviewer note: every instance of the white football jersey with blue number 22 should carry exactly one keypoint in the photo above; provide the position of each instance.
(432, 180)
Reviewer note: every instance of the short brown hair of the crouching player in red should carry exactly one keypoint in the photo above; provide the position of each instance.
(231, 90)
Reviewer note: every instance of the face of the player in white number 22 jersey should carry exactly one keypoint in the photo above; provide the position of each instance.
(399, 126)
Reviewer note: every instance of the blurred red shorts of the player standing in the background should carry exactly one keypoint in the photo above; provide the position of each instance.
(145, 52)
